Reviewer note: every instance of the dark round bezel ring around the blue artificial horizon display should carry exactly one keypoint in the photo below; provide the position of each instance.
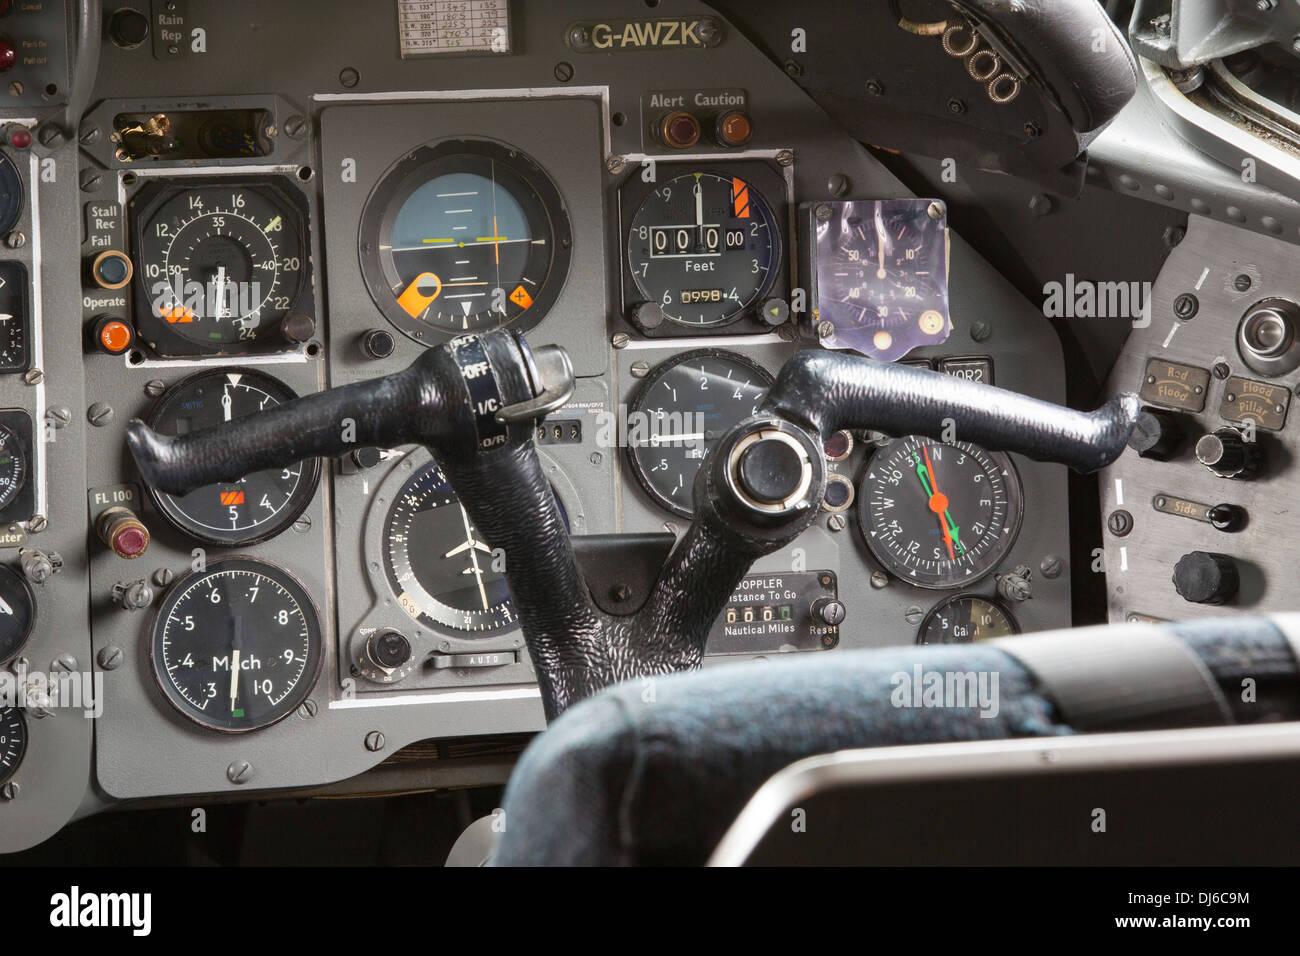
(400, 181)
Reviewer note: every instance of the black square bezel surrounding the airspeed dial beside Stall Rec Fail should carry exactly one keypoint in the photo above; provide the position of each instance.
(157, 332)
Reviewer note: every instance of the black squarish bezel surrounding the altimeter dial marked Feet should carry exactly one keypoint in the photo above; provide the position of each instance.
(762, 183)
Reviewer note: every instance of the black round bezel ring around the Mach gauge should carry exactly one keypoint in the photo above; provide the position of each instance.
(315, 633)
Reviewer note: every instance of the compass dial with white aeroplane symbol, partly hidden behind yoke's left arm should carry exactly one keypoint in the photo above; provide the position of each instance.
(437, 564)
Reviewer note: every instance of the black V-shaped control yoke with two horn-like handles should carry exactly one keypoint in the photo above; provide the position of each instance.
(475, 404)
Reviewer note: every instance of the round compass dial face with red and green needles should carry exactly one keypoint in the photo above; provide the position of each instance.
(939, 516)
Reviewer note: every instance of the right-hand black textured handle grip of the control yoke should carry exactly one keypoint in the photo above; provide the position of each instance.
(831, 391)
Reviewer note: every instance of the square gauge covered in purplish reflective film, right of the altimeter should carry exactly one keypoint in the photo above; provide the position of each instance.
(881, 275)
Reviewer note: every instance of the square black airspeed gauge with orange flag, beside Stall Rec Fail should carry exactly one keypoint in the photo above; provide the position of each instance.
(219, 265)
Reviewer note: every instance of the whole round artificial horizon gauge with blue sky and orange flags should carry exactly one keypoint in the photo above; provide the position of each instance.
(465, 236)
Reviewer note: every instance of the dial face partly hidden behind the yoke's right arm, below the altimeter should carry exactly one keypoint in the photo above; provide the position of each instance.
(683, 409)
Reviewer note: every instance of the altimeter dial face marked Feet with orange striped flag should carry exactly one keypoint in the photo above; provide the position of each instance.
(705, 248)
